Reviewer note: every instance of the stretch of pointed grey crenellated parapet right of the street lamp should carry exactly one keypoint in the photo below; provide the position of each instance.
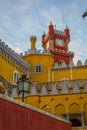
(59, 88)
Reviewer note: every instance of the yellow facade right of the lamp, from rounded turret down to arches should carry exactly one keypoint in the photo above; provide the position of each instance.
(59, 91)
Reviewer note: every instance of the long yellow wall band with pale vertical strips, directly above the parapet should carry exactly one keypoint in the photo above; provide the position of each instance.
(57, 75)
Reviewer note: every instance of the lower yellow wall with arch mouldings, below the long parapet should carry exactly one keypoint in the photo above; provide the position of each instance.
(59, 104)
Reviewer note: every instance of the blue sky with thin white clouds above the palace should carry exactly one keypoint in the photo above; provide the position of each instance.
(19, 19)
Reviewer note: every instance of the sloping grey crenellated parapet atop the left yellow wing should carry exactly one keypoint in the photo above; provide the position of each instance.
(13, 57)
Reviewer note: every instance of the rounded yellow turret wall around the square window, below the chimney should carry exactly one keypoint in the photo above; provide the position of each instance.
(45, 60)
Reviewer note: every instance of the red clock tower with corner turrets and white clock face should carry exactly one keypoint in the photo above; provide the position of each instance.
(56, 42)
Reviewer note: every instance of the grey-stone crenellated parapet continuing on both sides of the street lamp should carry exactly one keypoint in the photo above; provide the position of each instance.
(64, 87)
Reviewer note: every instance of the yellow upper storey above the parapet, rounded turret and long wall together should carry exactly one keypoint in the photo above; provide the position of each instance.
(50, 75)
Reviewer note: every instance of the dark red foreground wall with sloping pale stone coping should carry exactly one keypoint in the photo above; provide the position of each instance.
(17, 116)
